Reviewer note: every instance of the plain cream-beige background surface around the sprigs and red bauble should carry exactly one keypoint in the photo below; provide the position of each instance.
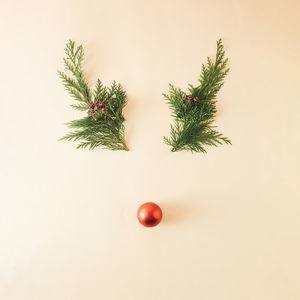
(68, 227)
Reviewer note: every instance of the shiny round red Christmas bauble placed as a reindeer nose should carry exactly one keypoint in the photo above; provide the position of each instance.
(149, 214)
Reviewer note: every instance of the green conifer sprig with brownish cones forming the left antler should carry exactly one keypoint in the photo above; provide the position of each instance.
(103, 125)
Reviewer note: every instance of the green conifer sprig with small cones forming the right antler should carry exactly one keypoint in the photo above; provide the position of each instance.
(194, 112)
